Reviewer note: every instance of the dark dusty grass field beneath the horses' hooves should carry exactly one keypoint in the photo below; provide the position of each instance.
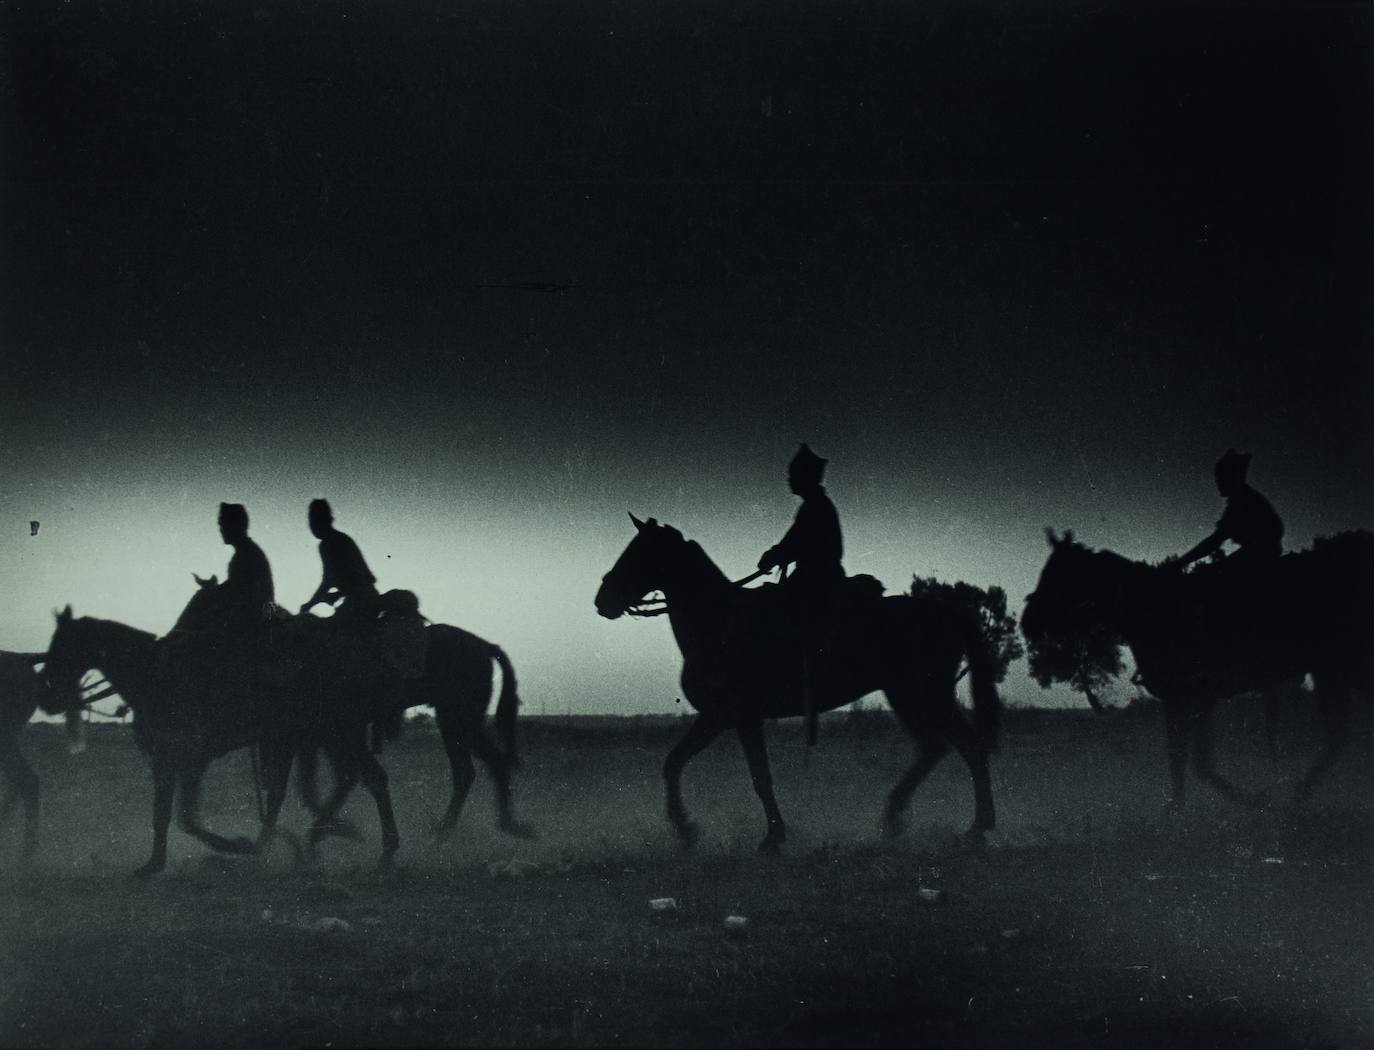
(1092, 919)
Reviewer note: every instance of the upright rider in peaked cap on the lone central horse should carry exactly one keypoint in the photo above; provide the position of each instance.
(815, 546)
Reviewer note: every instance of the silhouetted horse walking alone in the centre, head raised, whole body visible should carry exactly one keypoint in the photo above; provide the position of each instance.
(740, 669)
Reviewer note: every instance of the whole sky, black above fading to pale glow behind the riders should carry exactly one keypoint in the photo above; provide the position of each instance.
(488, 276)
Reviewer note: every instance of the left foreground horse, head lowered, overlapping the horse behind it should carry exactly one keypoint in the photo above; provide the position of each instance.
(192, 706)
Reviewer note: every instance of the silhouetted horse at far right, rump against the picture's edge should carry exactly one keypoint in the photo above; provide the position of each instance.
(1203, 637)
